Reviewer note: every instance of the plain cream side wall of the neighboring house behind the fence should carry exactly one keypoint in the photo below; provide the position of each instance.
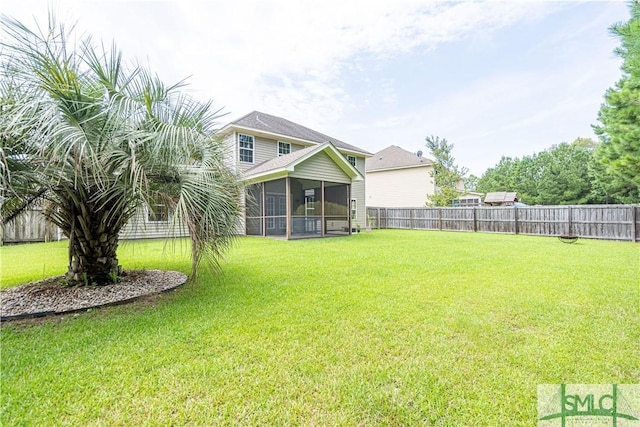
(399, 188)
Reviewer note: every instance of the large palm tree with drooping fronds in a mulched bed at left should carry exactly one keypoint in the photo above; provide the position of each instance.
(97, 141)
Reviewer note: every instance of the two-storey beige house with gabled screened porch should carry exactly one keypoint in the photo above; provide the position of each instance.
(298, 182)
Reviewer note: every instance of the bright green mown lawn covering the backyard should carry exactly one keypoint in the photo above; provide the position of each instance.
(382, 328)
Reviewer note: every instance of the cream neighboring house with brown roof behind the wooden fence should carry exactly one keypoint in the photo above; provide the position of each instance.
(397, 178)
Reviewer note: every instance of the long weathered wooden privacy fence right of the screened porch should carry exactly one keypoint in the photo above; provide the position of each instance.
(610, 222)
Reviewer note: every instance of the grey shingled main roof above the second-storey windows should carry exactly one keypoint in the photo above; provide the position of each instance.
(259, 121)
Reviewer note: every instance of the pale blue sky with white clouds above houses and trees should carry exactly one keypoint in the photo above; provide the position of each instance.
(493, 78)
